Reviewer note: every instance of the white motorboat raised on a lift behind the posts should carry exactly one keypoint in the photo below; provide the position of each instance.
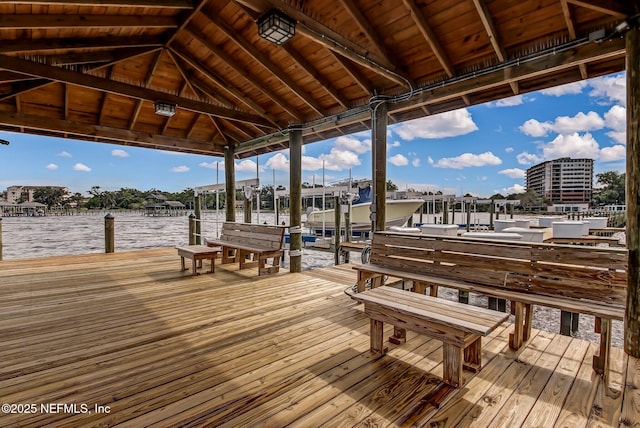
(398, 212)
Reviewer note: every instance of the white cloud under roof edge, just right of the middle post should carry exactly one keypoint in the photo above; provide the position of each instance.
(448, 124)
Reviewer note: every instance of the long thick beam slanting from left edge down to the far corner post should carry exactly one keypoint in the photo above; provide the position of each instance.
(101, 84)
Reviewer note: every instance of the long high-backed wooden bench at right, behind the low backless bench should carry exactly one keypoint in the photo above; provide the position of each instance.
(577, 279)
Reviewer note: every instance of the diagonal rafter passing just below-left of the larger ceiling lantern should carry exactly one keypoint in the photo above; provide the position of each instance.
(264, 60)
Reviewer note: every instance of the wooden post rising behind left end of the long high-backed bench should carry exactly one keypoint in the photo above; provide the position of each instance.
(379, 160)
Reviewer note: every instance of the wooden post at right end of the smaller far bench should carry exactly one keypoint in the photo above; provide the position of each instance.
(295, 216)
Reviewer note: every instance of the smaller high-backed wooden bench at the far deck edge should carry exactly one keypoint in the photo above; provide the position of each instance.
(251, 245)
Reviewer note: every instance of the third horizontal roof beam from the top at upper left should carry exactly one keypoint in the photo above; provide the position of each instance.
(45, 45)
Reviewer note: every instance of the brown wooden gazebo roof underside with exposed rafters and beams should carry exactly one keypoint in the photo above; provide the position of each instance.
(94, 70)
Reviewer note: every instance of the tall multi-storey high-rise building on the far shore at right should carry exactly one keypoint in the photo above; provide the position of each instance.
(562, 181)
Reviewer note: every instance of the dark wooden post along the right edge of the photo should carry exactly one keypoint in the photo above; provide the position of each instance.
(632, 311)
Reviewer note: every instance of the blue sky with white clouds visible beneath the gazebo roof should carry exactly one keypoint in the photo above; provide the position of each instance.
(480, 150)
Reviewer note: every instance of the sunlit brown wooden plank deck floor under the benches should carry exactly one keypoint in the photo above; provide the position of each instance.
(155, 346)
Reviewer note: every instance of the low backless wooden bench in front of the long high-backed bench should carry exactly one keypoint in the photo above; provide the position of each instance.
(460, 327)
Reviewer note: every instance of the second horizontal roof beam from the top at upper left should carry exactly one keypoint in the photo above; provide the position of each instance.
(41, 22)
